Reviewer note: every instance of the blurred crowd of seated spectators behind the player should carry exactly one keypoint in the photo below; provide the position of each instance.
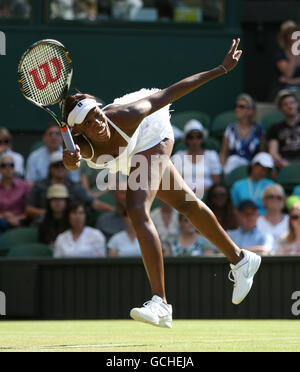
(253, 210)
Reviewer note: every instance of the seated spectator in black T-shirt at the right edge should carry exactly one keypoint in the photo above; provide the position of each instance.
(284, 137)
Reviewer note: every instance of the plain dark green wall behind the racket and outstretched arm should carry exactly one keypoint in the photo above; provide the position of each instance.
(112, 61)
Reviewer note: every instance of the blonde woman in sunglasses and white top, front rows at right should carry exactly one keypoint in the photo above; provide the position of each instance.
(275, 222)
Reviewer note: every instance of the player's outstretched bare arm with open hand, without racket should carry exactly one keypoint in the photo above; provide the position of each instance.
(188, 85)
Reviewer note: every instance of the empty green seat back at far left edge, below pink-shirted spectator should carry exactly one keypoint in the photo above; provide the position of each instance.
(17, 236)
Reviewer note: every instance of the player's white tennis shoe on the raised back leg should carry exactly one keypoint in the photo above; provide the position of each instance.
(242, 275)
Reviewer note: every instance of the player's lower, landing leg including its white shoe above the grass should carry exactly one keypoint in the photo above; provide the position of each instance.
(139, 201)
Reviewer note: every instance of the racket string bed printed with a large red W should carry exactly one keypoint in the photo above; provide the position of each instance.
(44, 73)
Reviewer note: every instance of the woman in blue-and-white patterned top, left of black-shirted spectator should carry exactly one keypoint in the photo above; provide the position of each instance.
(244, 139)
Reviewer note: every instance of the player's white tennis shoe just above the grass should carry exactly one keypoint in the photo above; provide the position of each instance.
(154, 312)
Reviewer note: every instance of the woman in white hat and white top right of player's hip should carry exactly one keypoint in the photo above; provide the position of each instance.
(199, 167)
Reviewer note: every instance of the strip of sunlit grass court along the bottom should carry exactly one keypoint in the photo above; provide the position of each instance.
(130, 336)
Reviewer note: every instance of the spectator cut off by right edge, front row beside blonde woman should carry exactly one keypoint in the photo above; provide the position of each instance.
(290, 243)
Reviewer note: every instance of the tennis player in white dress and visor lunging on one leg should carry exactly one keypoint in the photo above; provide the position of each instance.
(139, 123)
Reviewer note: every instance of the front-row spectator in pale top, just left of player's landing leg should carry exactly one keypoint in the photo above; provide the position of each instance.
(124, 243)
